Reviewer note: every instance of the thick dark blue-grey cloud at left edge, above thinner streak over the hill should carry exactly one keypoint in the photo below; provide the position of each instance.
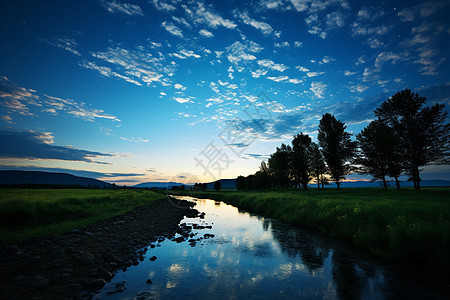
(28, 144)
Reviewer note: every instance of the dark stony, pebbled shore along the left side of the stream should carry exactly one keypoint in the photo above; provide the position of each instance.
(76, 264)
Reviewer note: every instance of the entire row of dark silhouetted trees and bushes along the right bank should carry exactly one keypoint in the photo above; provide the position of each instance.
(405, 136)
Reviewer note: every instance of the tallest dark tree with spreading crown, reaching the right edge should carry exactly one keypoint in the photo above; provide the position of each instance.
(423, 134)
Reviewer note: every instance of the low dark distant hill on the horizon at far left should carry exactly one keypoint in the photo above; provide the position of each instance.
(38, 177)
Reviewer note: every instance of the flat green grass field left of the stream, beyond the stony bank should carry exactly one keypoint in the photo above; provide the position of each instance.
(26, 213)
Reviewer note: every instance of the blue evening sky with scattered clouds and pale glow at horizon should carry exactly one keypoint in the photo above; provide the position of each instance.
(194, 91)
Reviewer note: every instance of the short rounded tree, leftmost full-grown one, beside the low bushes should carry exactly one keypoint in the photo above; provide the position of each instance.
(279, 165)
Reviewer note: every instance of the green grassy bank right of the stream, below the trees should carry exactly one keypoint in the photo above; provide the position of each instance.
(406, 226)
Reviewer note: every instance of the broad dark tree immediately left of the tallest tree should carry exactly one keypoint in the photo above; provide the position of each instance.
(380, 153)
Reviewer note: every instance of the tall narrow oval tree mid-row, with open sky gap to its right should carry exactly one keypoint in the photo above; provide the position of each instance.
(337, 148)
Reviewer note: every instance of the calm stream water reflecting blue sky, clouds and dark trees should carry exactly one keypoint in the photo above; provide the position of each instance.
(243, 256)
